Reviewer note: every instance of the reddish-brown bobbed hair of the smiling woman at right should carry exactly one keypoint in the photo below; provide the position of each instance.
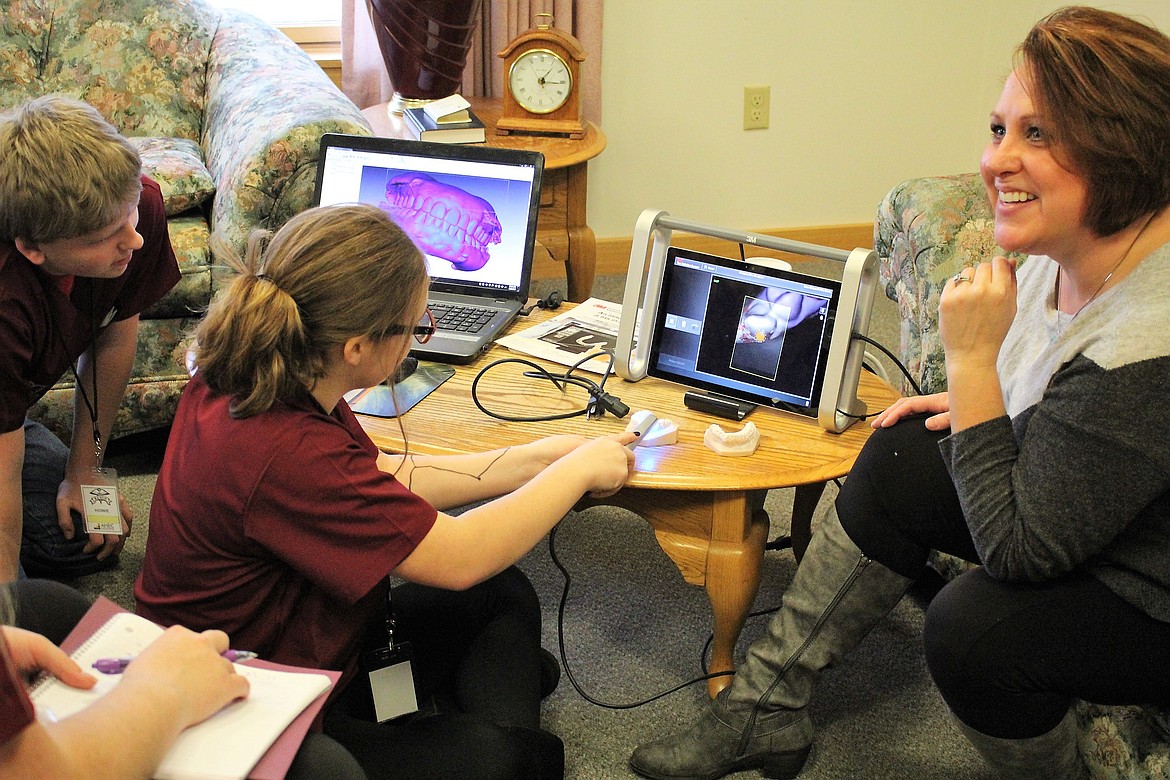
(1103, 82)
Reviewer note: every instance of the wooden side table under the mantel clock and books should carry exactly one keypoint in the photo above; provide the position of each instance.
(563, 237)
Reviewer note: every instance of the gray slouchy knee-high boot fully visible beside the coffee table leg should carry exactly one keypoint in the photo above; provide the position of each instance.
(760, 721)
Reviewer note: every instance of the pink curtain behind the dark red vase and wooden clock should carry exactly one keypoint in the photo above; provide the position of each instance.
(364, 78)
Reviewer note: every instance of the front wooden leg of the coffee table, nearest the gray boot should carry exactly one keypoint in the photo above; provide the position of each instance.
(739, 533)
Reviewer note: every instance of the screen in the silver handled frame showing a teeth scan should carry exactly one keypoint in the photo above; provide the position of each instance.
(745, 332)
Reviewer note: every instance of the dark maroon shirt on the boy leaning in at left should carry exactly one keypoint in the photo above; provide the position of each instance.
(44, 330)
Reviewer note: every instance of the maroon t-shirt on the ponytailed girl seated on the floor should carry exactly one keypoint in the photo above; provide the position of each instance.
(279, 529)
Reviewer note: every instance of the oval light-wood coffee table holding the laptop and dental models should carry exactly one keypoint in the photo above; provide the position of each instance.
(706, 510)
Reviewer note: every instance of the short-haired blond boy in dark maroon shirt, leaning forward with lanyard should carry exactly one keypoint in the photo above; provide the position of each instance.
(84, 251)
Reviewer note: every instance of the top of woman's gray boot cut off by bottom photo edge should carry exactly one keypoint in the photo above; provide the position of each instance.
(1049, 757)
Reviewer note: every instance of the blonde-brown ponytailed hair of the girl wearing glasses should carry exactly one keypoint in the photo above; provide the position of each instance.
(329, 275)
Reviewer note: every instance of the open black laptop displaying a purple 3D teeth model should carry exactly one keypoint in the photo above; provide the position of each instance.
(471, 210)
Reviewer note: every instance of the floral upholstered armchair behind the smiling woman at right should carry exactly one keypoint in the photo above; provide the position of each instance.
(926, 232)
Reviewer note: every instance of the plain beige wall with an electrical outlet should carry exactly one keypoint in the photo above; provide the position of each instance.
(865, 94)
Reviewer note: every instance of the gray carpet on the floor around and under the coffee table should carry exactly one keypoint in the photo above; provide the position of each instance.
(634, 630)
